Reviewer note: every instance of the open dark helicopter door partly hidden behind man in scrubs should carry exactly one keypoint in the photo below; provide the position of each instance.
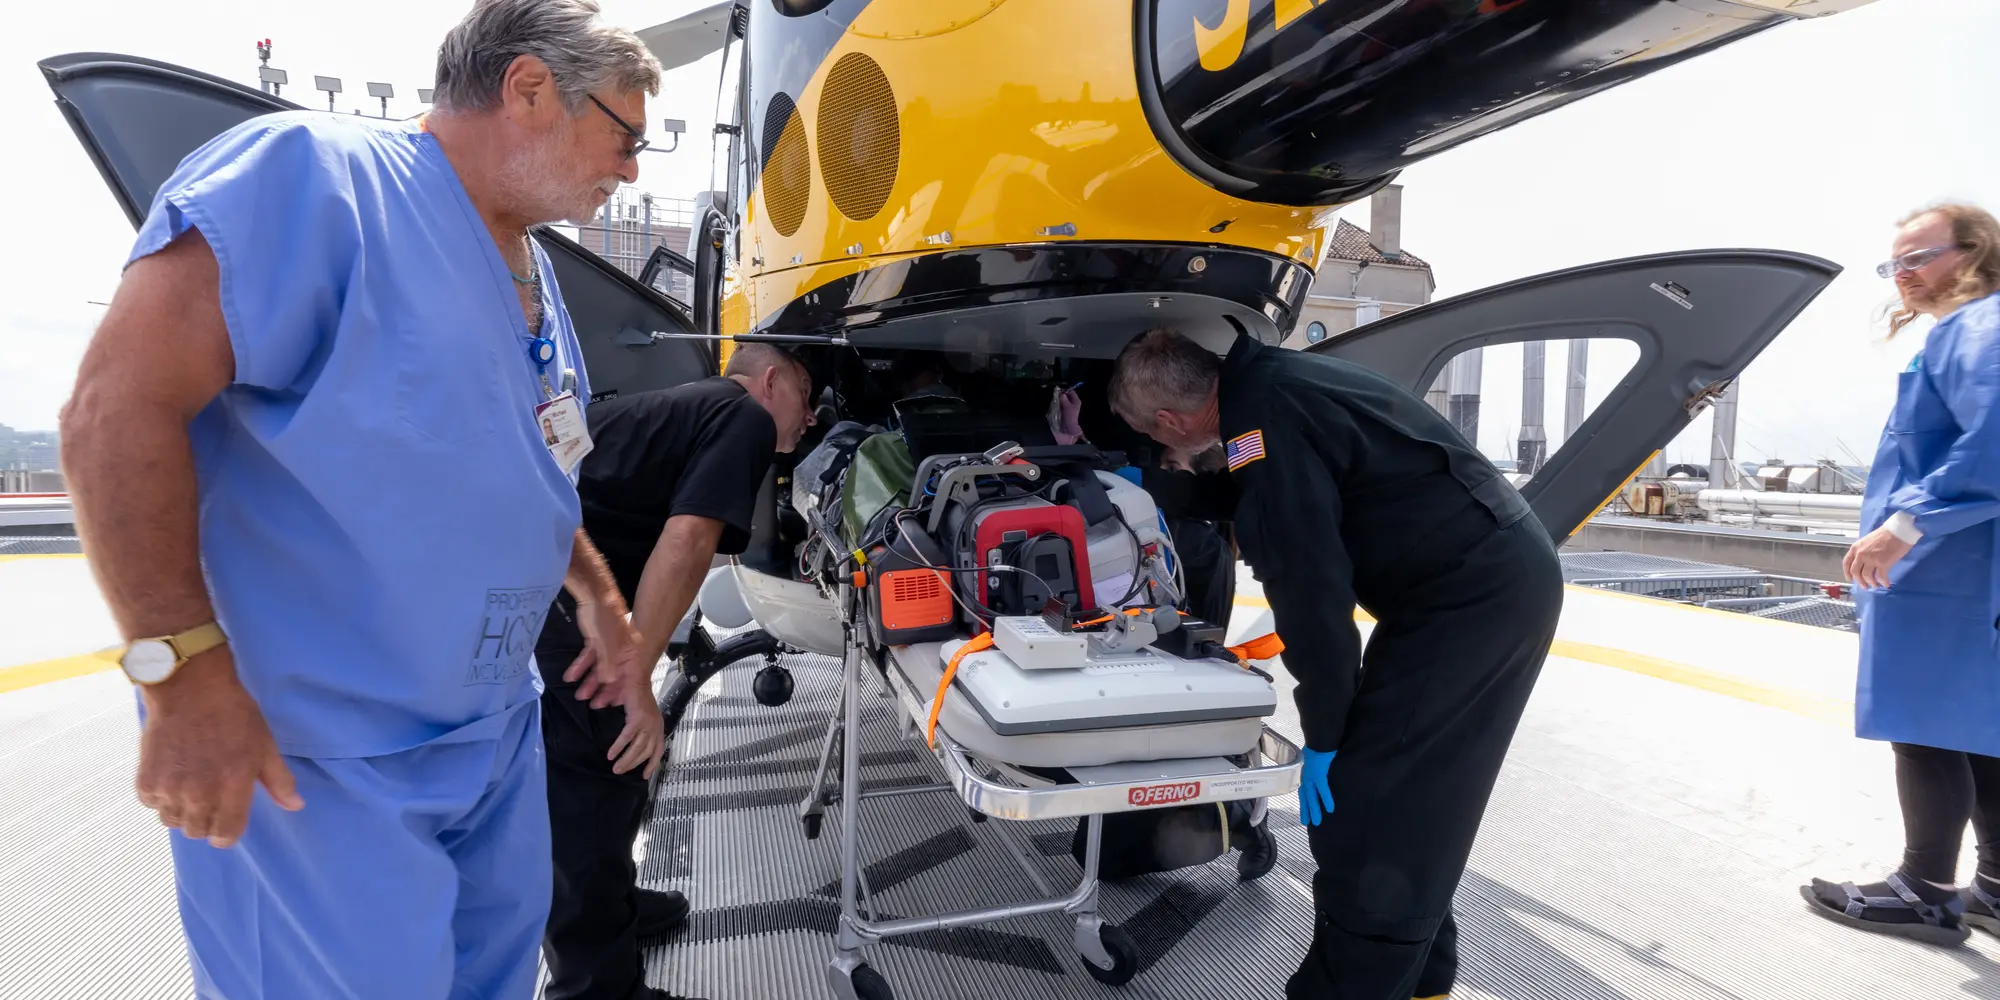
(139, 119)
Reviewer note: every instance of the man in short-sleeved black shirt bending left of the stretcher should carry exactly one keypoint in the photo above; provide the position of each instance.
(671, 483)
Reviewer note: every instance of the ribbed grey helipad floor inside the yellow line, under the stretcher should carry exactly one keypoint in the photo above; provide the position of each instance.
(1645, 843)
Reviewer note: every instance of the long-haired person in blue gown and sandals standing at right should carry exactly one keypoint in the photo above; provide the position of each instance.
(1929, 595)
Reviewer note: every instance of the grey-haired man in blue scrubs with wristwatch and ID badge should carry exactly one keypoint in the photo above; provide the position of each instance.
(309, 465)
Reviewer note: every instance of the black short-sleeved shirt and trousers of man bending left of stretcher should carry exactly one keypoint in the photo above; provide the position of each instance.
(699, 449)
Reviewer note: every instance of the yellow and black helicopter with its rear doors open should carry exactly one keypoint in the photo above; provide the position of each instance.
(1023, 185)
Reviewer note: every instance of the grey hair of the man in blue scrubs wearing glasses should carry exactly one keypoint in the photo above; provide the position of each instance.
(569, 37)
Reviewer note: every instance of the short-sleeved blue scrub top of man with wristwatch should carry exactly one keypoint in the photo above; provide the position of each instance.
(381, 521)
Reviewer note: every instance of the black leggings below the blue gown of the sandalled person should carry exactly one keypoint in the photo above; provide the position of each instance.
(1941, 791)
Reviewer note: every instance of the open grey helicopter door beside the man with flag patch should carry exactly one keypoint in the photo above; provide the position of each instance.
(1697, 317)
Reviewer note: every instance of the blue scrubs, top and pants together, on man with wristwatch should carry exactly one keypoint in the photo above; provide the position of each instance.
(383, 531)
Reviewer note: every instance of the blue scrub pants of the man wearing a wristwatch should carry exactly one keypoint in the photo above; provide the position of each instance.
(421, 875)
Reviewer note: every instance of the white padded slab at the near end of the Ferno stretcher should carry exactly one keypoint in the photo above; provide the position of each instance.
(1109, 693)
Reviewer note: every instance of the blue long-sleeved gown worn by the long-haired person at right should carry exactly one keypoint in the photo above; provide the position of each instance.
(1929, 667)
